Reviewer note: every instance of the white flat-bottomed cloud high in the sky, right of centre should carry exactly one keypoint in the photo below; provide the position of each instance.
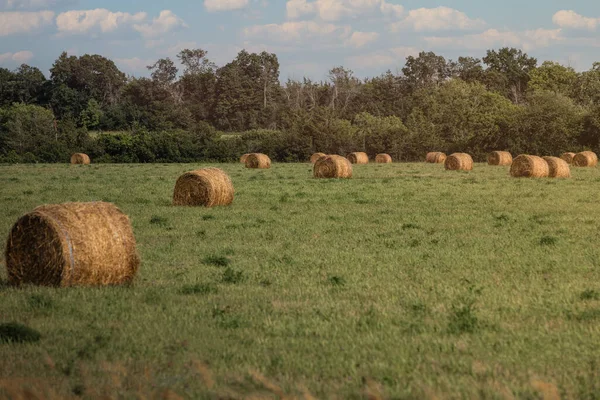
(437, 19)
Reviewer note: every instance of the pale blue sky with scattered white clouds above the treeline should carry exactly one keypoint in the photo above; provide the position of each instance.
(309, 36)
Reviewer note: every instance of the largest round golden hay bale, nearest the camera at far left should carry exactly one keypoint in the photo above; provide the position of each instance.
(72, 244)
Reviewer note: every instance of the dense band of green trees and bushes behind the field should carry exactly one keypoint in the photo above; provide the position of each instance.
(193, 110)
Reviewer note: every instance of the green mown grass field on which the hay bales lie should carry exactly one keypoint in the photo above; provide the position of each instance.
(406, 281)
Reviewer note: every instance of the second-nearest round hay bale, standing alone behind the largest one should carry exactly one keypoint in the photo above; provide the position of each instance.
(206, 187)
